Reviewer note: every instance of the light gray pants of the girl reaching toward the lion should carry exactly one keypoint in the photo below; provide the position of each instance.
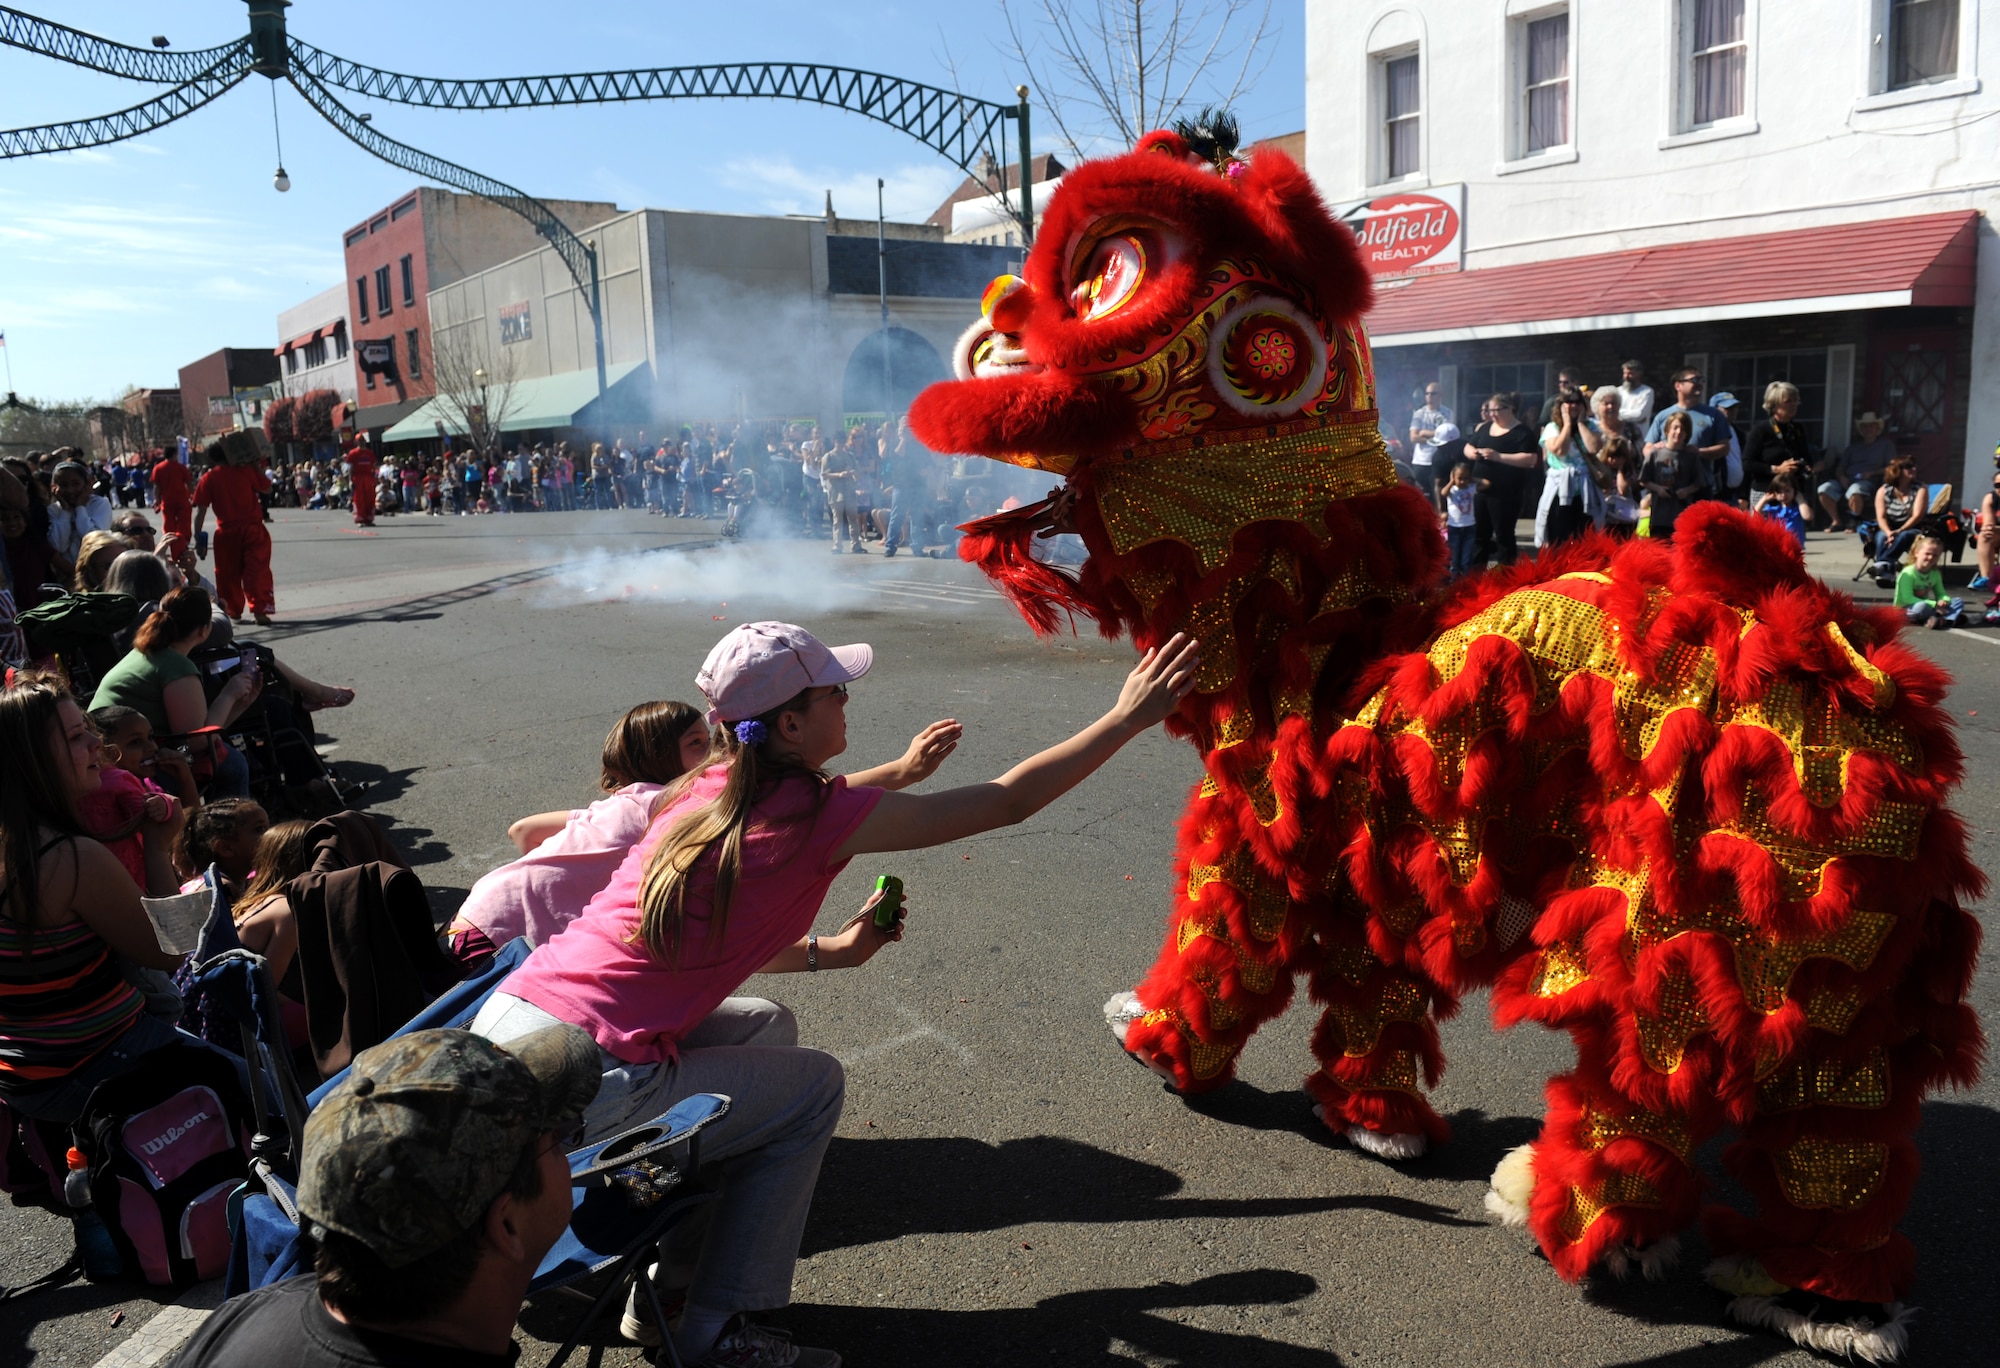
(763, 1157)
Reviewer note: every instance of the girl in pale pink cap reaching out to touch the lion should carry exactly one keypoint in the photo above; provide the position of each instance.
(725, 885)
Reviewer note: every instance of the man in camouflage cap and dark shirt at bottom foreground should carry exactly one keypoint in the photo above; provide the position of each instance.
(433, 1183)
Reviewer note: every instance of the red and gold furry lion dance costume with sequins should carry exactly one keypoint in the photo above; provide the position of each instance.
(1681, 801)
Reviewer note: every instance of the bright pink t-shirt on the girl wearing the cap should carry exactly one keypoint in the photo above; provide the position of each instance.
(639, 1007)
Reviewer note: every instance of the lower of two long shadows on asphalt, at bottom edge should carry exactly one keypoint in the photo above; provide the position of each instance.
(1111, 1327)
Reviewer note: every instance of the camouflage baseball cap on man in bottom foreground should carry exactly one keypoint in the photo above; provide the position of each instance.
(425, 1133)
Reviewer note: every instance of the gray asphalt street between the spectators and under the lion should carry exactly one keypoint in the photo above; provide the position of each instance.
(1005, 1187)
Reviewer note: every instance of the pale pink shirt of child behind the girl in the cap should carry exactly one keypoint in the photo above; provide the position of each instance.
(549, 887)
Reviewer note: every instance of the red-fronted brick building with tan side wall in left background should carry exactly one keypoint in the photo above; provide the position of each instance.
(397, 257)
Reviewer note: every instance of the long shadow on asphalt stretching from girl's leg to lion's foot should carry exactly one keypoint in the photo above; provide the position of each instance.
(875, 1191)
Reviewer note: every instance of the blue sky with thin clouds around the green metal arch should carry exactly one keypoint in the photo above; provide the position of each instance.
(119, 265)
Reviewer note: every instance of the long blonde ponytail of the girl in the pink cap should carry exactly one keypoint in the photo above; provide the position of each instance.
(721, 825)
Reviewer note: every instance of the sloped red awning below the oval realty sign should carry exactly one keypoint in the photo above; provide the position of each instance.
(1891, 263)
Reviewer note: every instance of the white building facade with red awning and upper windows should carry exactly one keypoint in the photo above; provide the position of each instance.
(1755, 189)
